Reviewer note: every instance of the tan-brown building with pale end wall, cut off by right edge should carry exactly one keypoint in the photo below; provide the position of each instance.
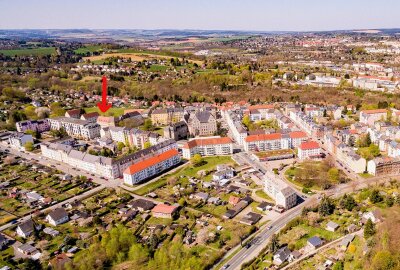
(384, 166)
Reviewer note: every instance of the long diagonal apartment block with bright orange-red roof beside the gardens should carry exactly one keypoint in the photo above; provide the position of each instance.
(145, 169)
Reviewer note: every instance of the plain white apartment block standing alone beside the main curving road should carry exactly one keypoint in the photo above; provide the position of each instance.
(277, 189)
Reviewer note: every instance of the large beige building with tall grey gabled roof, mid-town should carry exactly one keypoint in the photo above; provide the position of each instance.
(202, 123)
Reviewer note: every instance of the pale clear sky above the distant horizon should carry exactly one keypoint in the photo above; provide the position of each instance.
(263, 15)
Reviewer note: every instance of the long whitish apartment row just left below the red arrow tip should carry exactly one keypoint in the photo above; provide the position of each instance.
(76, 127)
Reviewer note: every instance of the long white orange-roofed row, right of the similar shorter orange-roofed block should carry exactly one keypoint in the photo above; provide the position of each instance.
(274, 141)
